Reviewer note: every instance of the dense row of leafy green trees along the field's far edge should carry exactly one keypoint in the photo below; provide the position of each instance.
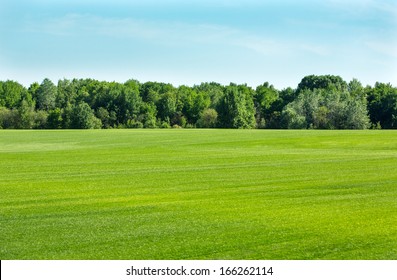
(318, 102)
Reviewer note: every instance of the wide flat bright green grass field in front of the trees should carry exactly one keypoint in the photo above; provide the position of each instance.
(198, 194)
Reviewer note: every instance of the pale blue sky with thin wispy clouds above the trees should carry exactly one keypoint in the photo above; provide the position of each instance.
(189, 42)
